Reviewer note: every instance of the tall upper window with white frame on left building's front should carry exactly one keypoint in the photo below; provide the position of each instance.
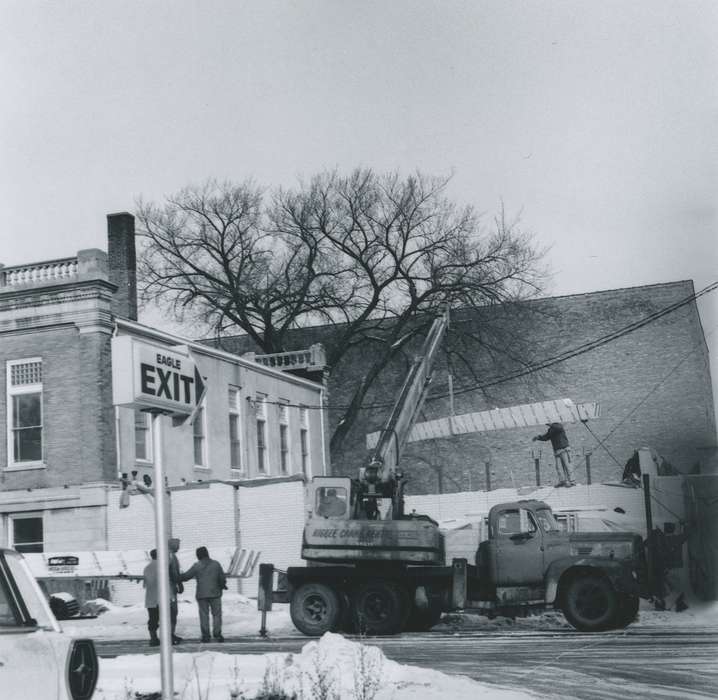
(24, 410)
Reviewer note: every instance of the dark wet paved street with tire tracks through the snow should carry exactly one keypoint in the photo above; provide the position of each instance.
(670, 663)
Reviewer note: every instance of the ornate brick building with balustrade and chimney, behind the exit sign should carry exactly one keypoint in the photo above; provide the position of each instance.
(66, 443)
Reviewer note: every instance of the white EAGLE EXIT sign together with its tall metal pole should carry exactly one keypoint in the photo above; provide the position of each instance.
(165, 382)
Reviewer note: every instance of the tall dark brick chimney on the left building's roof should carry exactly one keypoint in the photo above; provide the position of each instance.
(123, 263)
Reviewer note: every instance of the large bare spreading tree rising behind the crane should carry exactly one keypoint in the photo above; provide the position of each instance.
(377, 256)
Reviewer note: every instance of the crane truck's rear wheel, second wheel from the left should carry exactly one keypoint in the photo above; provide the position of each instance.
(379, 608)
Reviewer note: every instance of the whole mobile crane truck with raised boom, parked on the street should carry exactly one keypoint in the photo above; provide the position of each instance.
(374, 569)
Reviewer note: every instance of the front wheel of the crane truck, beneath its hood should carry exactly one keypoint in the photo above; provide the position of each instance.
(590, 604)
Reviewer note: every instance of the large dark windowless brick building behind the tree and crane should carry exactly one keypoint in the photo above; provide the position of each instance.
(639, 352)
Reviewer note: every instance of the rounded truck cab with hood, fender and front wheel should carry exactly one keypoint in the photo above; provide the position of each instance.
(529, 560)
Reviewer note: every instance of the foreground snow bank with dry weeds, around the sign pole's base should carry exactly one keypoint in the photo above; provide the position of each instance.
(332, 668)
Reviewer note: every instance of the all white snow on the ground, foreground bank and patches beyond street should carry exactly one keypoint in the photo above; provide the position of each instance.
(332, 662)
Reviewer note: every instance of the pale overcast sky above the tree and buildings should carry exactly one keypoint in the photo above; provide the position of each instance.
(598, 121)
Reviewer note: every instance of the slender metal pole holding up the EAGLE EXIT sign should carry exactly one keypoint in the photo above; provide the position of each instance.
(163, 561)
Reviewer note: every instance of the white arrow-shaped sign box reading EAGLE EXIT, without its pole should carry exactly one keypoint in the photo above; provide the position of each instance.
(145, 375)
